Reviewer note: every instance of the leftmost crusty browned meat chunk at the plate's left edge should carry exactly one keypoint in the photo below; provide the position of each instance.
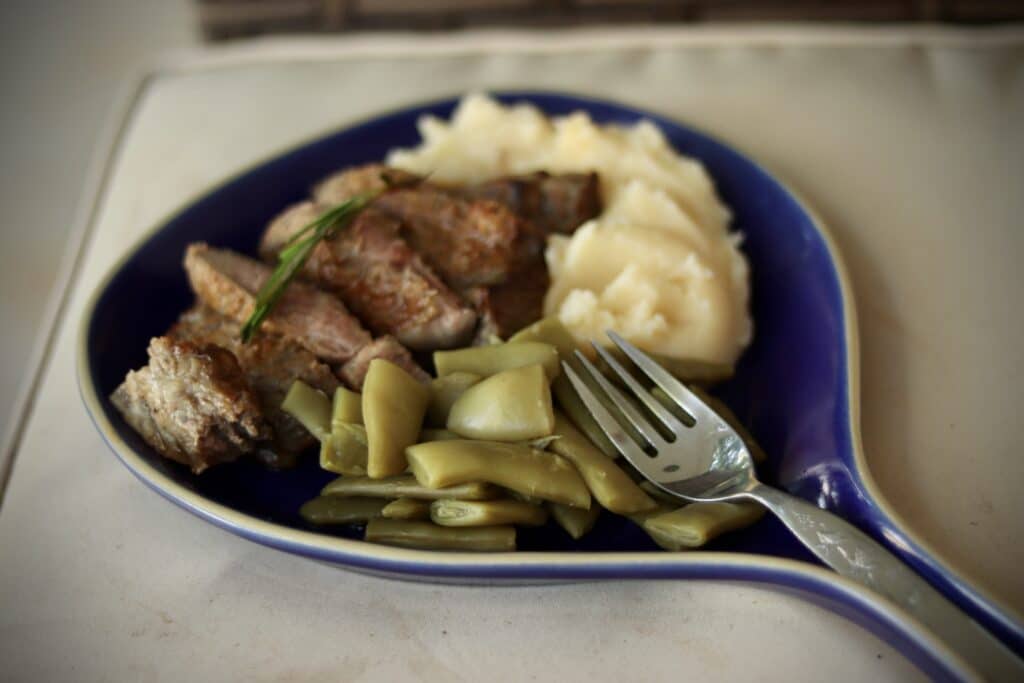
(192, 404)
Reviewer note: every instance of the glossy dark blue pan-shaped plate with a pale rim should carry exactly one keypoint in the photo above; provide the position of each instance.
(796, 388)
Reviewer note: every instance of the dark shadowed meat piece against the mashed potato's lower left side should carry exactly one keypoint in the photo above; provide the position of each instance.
(508, 308)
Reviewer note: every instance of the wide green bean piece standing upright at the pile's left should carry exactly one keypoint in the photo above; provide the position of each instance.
(394, 405)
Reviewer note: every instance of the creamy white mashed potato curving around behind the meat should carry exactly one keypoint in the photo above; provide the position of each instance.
(659, 266)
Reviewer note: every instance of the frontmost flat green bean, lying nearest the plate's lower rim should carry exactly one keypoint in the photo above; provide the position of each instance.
(428, 536)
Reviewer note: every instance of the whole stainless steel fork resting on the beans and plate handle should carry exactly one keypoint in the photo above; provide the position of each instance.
(694, 454)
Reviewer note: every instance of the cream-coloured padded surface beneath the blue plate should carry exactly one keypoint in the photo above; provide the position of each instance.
(908, 142)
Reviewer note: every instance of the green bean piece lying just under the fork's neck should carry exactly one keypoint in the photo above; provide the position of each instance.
(696, 525)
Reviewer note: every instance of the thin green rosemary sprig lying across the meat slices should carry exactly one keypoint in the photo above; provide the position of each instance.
(295, 252)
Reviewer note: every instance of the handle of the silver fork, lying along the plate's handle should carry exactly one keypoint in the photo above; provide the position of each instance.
(857, 557)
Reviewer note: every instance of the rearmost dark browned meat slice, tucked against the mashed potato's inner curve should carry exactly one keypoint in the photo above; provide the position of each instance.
(553, 203)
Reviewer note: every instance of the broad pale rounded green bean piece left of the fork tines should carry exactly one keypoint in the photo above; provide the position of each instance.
(513, 406)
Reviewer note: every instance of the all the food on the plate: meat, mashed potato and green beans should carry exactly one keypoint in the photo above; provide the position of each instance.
(407, 325)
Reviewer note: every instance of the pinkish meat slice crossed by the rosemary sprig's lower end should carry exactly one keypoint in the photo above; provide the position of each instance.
(229, 283)
